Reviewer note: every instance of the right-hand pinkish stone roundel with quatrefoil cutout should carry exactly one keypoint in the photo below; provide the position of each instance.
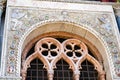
(74, 49)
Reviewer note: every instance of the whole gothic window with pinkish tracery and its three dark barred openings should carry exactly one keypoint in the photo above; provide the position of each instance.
(61, 59)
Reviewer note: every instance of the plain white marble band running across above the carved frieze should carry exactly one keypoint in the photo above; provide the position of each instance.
(60, 5)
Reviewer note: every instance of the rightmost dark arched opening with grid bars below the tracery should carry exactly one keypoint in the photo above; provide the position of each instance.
(88, 72)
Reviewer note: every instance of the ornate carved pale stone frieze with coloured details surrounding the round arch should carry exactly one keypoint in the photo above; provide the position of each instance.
(22, 19)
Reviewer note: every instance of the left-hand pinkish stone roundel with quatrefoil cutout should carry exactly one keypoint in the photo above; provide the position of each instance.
(48, 47)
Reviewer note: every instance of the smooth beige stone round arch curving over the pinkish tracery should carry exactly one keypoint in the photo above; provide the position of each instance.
(68, 30)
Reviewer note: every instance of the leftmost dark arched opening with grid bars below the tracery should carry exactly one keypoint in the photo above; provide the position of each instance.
(36, 71)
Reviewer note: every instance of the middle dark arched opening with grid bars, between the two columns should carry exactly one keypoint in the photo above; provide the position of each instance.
(62, 71)
